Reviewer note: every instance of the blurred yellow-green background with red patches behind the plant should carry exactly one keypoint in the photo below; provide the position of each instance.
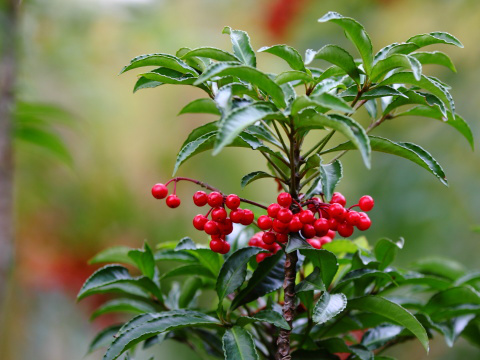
(71, 204)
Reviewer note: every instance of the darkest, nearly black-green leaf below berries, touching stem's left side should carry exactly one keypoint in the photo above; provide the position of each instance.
(266, 278)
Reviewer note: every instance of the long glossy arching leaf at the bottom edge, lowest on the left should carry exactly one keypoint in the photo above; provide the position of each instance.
(158, 323)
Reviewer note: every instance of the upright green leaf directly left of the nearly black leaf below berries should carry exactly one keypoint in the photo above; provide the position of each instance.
(234, 270)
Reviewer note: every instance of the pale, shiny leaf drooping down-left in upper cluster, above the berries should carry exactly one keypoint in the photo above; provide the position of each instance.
(237, 121)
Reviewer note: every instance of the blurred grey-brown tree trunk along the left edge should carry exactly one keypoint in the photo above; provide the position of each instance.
(8, 65)
